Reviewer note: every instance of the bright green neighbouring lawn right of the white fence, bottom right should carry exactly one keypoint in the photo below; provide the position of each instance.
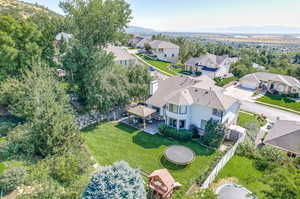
(244, 171)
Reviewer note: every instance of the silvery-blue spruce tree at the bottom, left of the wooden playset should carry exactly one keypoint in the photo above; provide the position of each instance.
(116, 181)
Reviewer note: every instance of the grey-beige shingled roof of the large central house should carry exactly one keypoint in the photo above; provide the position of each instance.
(186, 90)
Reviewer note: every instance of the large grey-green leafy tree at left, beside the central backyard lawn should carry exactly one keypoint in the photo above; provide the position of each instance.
(41, 101)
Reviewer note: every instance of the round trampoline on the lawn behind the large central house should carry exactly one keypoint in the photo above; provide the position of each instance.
(179, 155)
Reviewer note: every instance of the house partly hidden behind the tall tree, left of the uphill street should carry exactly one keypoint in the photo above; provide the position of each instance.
(122, 56)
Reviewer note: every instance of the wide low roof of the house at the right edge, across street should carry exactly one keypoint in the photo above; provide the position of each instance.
(264, 76)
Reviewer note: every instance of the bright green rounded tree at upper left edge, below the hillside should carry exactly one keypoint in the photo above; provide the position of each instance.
(19, 44)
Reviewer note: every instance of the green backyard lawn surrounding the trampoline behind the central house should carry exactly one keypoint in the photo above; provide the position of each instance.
(111, 142)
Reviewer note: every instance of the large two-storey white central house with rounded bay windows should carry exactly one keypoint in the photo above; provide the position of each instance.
(183, 101)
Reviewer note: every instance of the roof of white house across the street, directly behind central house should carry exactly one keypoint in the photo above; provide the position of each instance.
(209, 60)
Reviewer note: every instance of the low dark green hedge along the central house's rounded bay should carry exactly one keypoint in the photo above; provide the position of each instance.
(182, 135)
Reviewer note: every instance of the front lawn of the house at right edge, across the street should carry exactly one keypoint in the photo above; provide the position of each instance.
(280, 100)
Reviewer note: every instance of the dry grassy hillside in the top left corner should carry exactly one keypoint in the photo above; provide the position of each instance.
(23, 9)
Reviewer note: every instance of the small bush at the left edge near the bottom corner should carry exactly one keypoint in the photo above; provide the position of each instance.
(11, 178)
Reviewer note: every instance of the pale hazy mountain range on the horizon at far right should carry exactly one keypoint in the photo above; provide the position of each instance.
(259, 30)
